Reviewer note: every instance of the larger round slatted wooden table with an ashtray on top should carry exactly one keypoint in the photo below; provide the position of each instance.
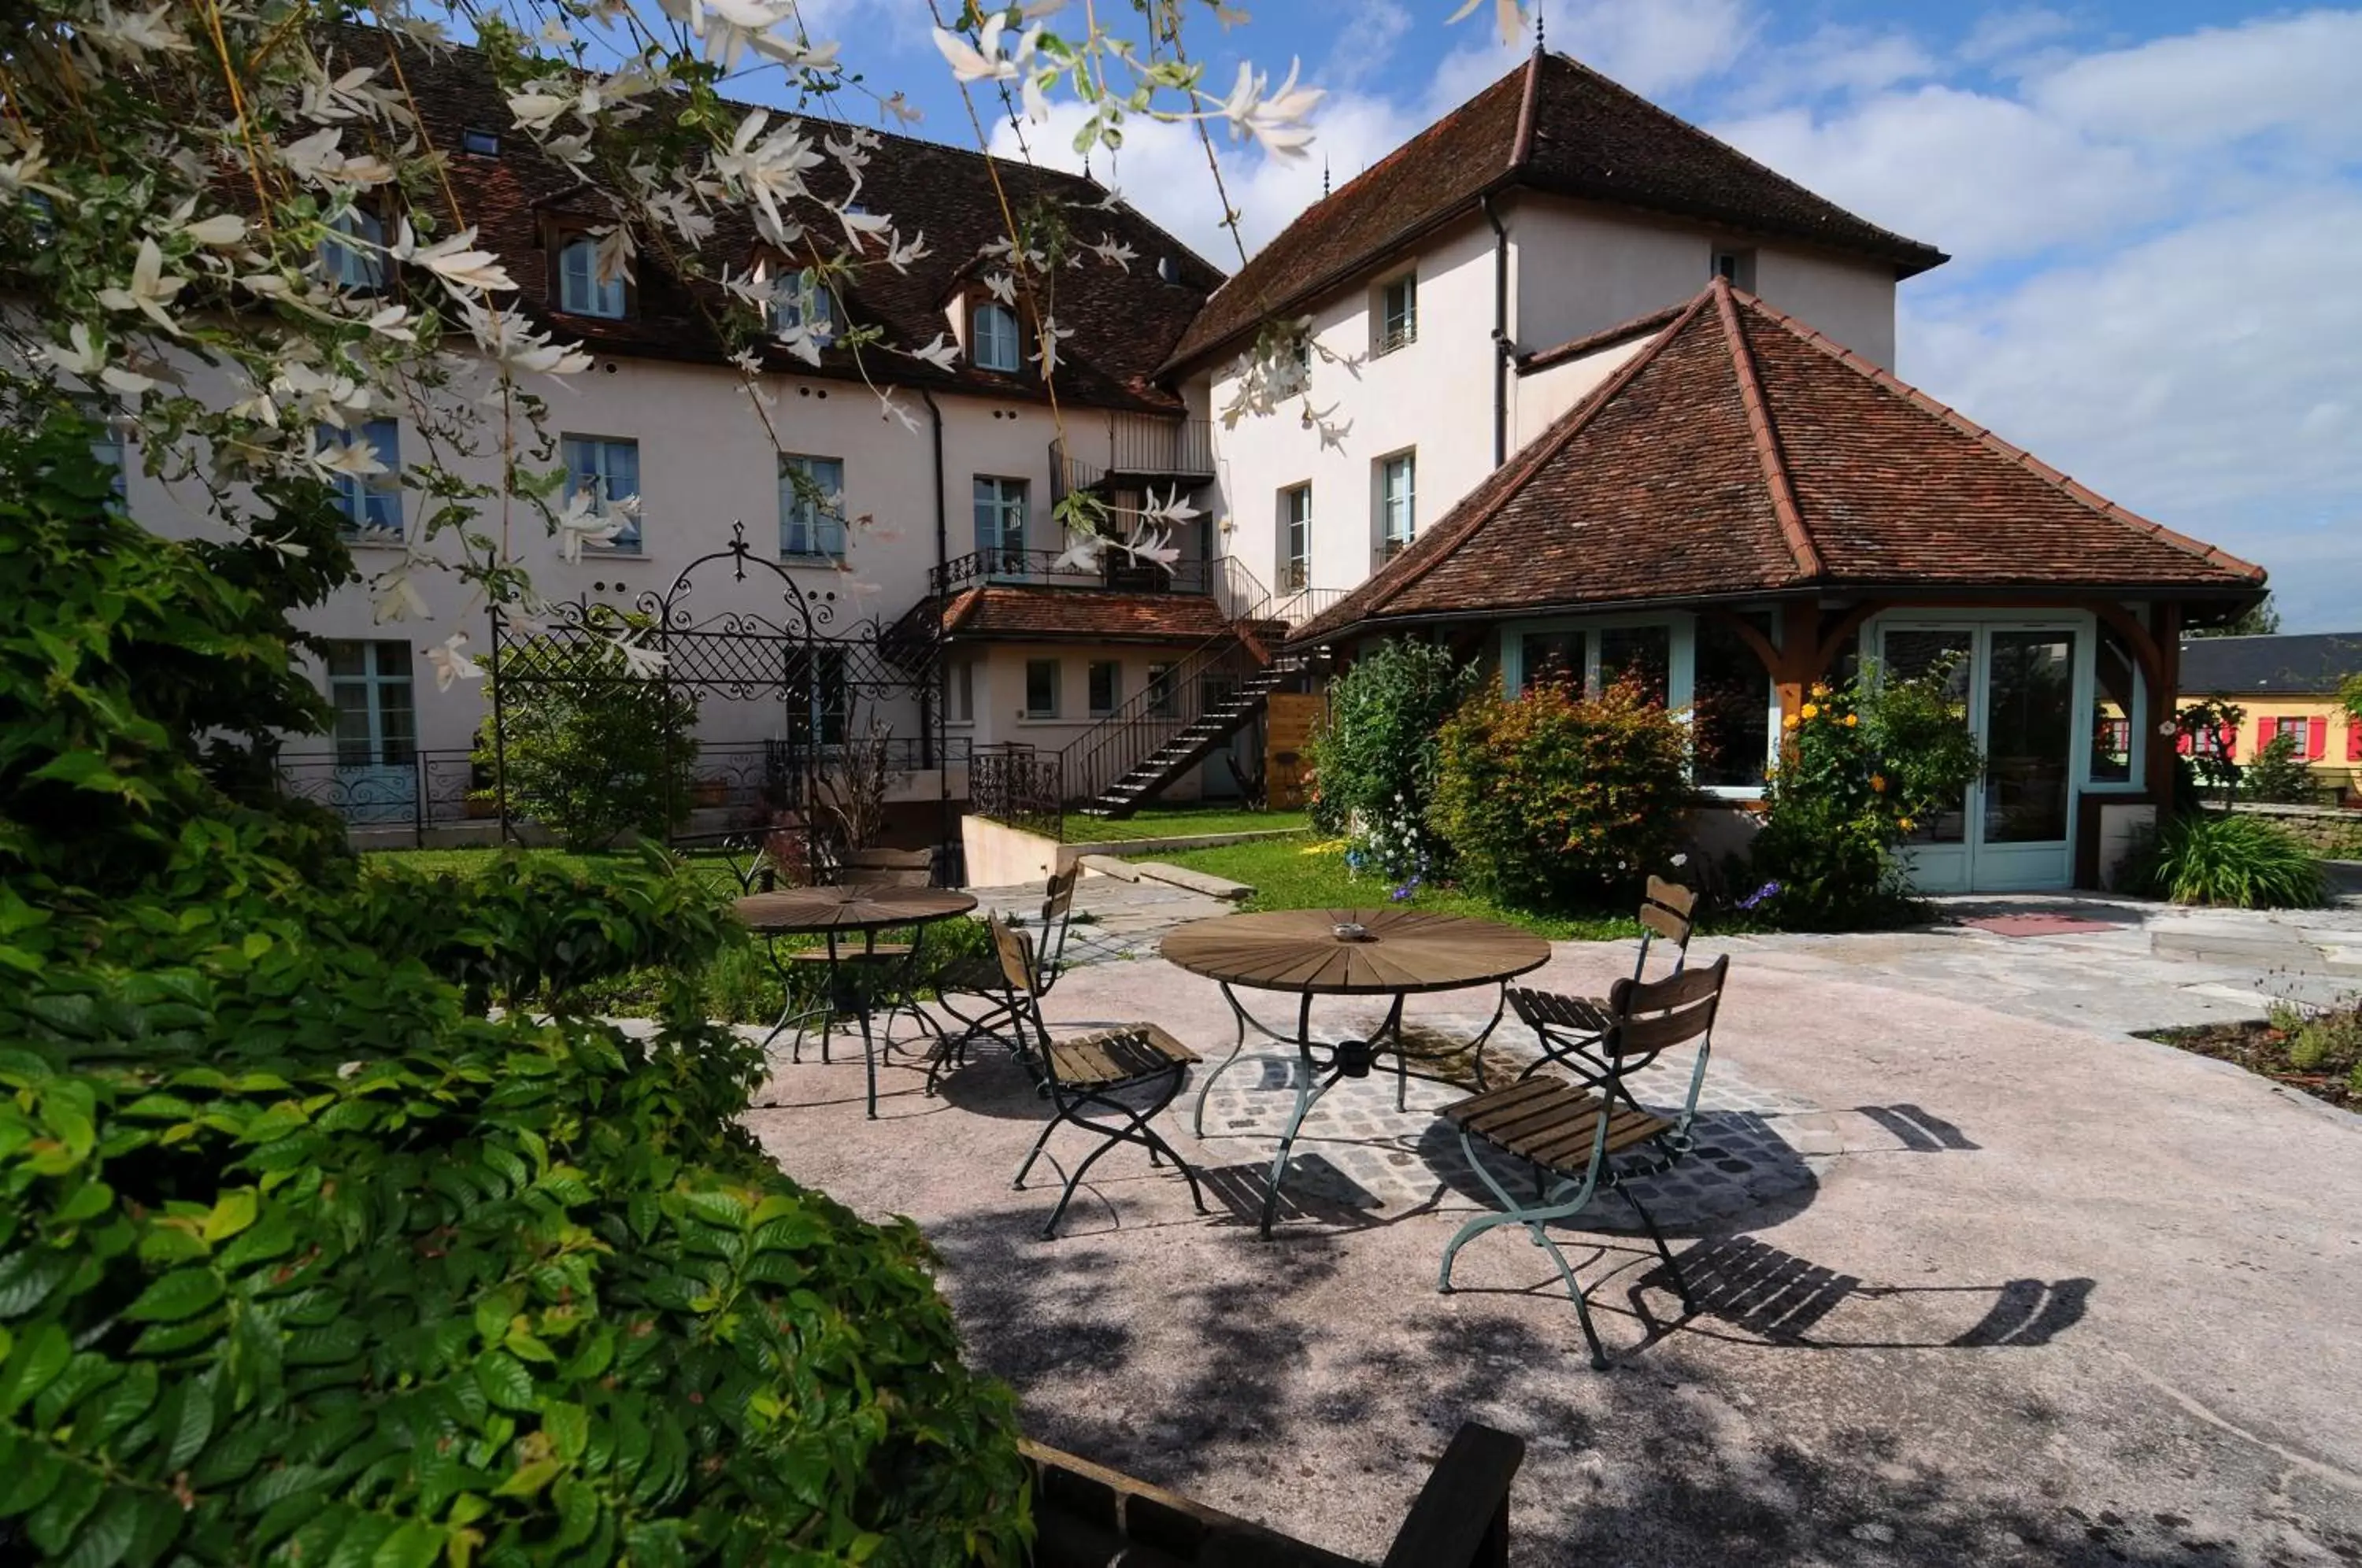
(1345, 953)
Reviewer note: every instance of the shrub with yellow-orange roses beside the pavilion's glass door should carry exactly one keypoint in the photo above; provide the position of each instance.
(1862, 766)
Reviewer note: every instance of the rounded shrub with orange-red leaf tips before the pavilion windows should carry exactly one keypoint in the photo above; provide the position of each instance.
(1558, 799)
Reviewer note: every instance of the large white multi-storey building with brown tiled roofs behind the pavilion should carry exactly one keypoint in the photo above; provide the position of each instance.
(1463, 294)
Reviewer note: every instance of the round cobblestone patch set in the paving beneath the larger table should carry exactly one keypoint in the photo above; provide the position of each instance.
(1754, 1146)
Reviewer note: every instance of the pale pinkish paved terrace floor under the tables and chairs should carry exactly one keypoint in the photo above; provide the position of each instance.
(1992, 1281)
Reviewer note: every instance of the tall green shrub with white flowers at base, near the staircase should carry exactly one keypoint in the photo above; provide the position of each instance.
(1374, 762)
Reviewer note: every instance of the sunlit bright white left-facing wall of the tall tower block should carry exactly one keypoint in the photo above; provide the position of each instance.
(1433, 398)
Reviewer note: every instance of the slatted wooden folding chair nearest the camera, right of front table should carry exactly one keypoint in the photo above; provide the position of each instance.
(1596, 1139)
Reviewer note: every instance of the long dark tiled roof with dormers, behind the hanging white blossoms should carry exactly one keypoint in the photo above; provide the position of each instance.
(1125, 322)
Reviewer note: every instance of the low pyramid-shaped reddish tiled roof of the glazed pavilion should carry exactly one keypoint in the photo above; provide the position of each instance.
(1744, 452)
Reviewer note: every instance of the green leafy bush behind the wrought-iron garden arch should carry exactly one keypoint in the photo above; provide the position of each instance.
(592, 752)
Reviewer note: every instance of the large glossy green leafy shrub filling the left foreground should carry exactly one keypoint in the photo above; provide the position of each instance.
(304, 1255)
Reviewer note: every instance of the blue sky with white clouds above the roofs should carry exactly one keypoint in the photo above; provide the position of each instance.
(2151, 207)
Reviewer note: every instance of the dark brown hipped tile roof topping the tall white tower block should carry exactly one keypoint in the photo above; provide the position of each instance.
(1551, 126)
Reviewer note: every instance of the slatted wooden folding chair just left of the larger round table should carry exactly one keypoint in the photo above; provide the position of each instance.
(1083, 1078)
